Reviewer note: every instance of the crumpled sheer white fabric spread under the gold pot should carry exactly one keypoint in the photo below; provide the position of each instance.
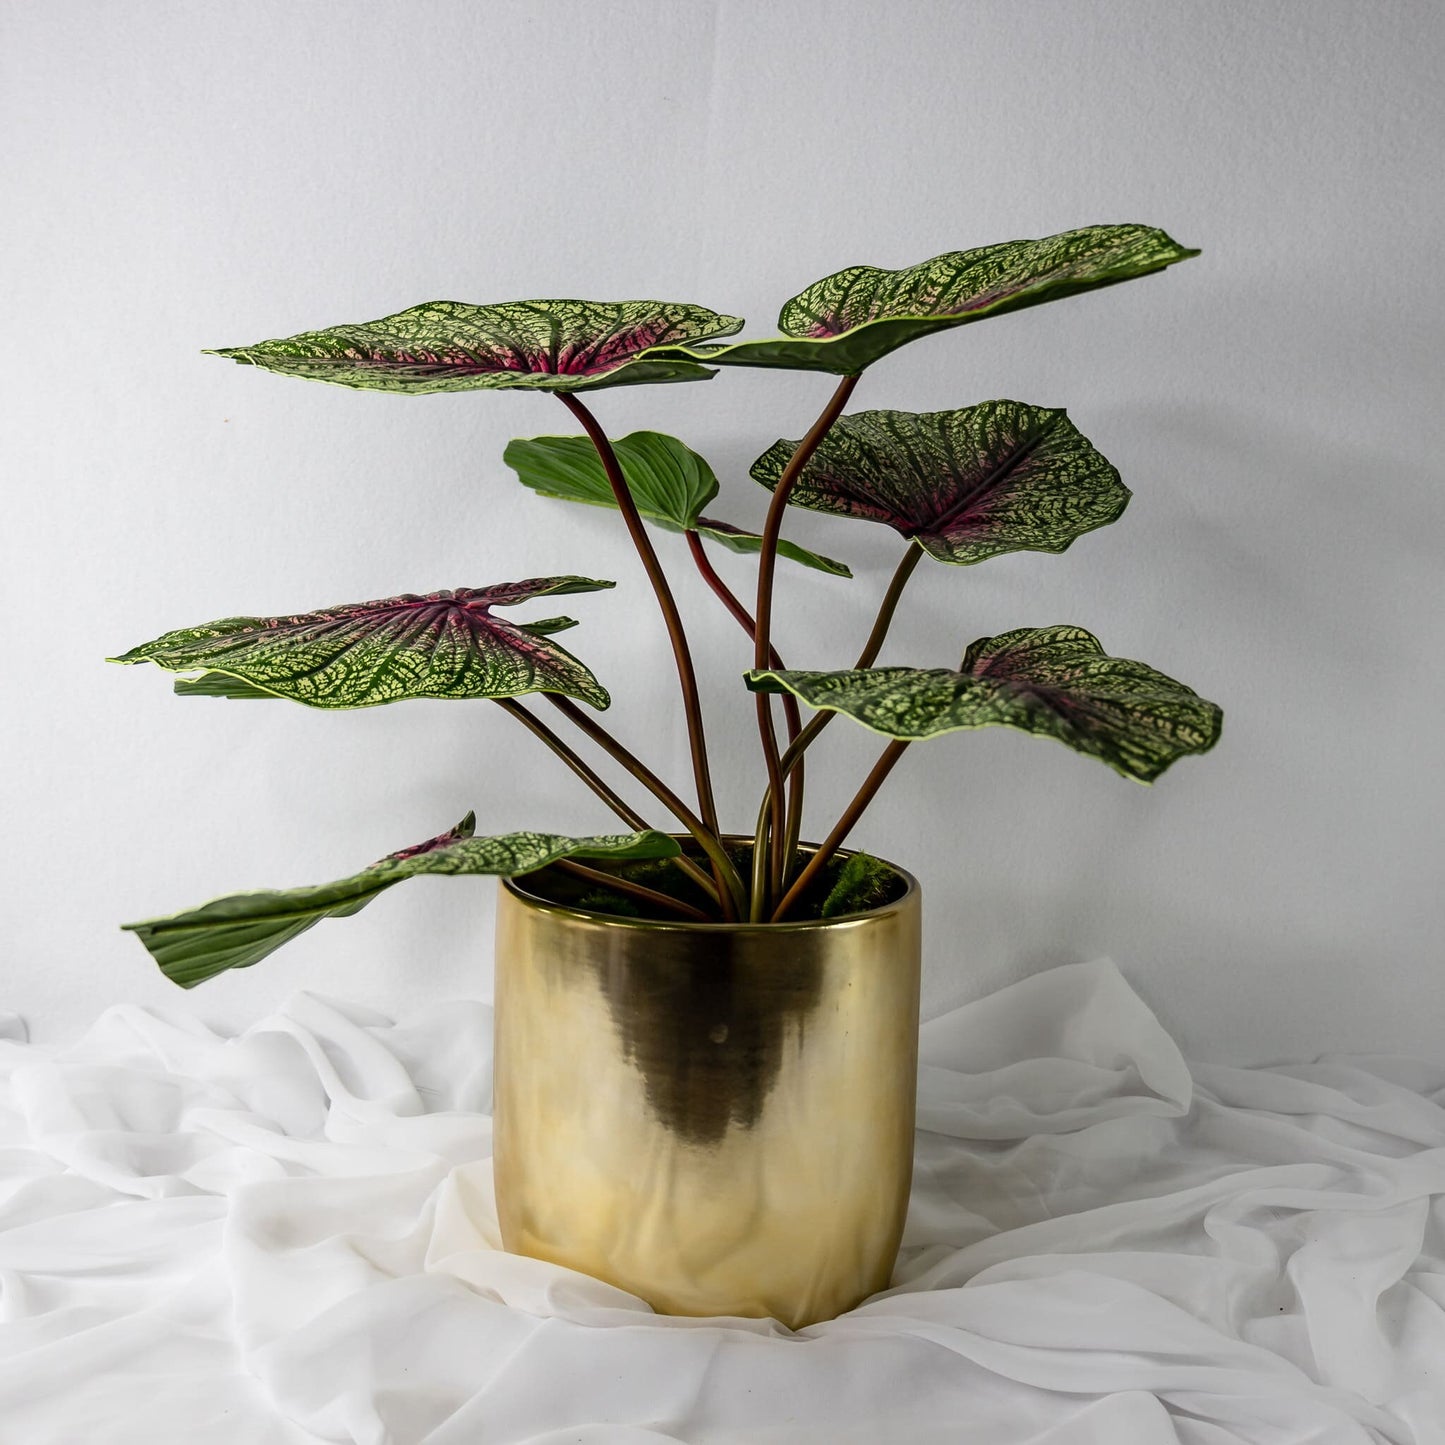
(290, 1238)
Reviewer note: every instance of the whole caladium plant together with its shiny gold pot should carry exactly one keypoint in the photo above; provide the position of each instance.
(707, 1041)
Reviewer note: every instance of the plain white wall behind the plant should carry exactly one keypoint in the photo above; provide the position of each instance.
(187, 176)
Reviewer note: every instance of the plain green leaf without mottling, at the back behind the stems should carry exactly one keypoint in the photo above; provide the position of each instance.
(670, 482)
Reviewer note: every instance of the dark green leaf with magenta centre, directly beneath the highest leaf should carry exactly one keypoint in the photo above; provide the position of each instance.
(967, 485)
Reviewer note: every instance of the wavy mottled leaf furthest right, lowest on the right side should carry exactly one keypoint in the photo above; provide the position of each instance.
(1053, 681)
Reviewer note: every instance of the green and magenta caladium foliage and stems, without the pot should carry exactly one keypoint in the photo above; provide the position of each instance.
(959, 486)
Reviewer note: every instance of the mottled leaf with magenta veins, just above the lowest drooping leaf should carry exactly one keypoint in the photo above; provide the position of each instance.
(444, 645)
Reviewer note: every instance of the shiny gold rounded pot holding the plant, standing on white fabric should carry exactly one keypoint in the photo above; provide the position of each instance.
(717, 1118)
